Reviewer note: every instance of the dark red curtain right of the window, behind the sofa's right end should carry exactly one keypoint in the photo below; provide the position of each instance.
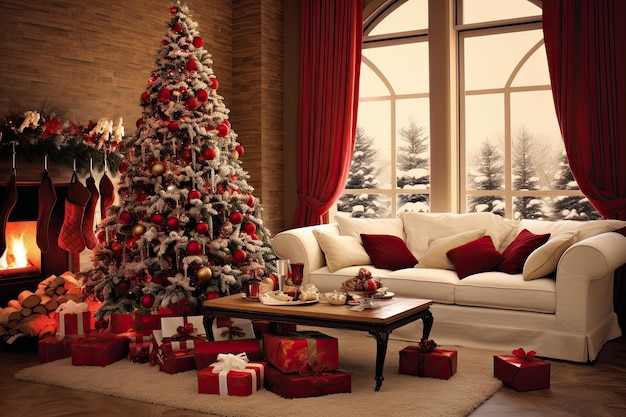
(586, 47)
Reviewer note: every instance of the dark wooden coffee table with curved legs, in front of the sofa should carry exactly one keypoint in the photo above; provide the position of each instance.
(379, 322)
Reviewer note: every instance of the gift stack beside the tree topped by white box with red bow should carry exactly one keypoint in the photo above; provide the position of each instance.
(173, 346)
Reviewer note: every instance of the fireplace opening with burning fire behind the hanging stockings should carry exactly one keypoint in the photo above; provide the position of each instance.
(23, 265)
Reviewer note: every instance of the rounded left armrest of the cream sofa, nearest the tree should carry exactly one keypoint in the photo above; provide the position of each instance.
(300, 245)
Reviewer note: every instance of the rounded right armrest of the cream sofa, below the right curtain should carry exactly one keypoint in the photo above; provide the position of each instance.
(584, 281)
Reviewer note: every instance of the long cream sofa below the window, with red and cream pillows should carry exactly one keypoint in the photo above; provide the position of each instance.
(566, 313)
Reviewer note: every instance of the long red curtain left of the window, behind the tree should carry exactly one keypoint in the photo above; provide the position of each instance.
(330, 61)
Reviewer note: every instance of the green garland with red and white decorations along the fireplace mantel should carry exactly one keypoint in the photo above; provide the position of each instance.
(32, 135)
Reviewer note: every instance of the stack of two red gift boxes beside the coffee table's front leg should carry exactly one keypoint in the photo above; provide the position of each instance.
(303, 364)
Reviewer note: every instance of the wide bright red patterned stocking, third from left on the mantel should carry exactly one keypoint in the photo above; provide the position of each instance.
(71, 237)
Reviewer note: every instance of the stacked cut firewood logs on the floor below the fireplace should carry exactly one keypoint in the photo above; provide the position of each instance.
(31, 314)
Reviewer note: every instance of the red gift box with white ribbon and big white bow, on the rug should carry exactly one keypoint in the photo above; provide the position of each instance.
(237, 382)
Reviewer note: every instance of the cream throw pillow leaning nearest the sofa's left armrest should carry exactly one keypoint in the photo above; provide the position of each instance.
(341, 251)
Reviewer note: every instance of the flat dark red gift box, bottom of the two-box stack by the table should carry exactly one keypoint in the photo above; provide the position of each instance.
(300, 386)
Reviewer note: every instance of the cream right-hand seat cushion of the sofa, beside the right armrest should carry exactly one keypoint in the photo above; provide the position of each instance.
(491, 289)
